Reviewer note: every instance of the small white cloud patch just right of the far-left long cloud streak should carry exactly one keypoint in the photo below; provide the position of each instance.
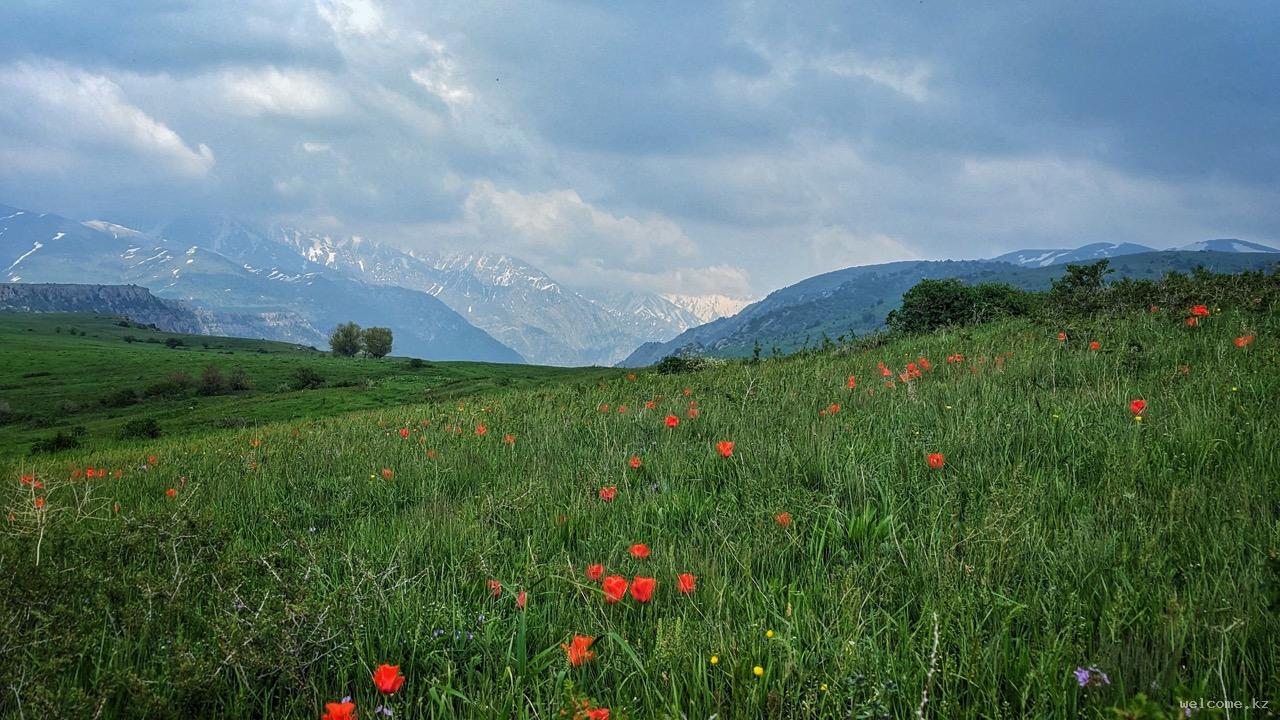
(272, 92)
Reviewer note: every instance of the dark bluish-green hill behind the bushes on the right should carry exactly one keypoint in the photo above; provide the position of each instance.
(857, 300)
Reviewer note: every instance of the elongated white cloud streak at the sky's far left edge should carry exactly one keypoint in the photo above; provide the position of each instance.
(61, 108)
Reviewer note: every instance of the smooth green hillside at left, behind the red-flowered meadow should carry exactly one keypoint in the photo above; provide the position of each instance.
(62, 372)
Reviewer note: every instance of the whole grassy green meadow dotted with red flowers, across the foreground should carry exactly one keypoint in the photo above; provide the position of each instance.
(1062, 534)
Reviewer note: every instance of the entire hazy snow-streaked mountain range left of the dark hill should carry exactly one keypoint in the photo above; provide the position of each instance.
(294, 285)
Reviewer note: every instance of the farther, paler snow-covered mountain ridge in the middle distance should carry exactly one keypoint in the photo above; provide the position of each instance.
(516, 303)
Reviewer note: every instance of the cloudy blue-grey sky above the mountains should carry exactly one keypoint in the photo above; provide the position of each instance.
(665, 147)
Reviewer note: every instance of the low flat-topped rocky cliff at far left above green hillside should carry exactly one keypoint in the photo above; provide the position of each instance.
(130, 302)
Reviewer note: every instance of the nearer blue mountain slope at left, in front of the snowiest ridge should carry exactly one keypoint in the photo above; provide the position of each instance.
(245, 282)
